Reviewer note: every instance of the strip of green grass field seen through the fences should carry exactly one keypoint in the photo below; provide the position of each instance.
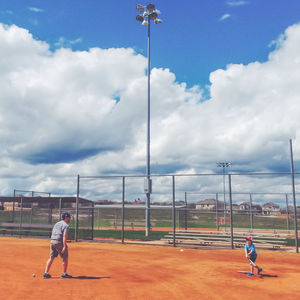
(159, 218)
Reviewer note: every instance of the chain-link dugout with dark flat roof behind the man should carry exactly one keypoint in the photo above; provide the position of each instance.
(31, 216)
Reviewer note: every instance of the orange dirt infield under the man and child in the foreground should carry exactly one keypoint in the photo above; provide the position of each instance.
(115, 271)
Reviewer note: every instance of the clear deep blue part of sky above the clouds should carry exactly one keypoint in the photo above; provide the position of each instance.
(193, 40)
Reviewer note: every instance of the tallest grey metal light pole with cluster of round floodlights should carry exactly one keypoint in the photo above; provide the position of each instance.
(148, 13)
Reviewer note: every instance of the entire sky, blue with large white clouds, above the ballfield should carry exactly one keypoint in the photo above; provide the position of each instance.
(224, 87)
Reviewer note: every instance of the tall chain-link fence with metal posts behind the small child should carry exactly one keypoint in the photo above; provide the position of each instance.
(196, 209)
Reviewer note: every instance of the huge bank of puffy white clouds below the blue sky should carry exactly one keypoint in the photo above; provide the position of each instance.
(68, 112)
